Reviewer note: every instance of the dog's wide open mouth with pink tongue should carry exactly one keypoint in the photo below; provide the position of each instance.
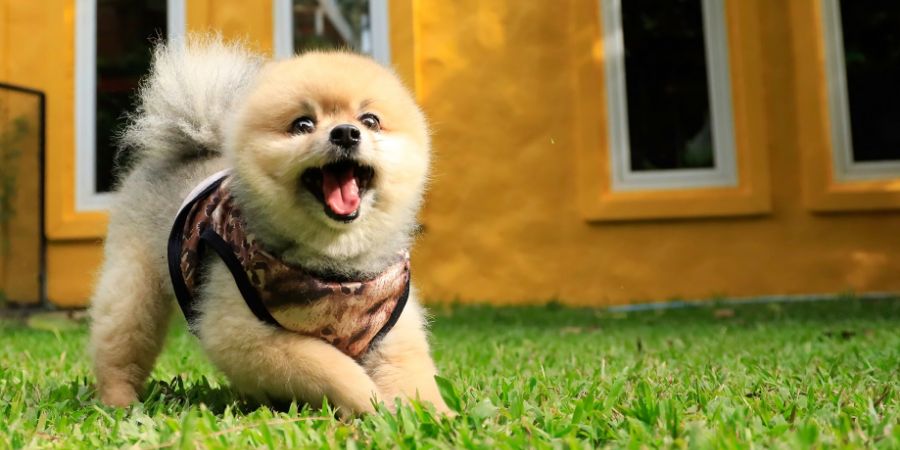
(339, 186)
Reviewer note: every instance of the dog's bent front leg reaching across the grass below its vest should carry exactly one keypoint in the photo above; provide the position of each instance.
(271, 363)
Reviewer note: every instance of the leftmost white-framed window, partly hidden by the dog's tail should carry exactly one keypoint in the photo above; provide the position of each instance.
(113, 42)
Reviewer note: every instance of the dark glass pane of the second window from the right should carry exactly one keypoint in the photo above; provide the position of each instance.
(665, 76)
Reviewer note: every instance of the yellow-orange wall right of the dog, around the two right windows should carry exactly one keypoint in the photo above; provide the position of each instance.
(498, 80)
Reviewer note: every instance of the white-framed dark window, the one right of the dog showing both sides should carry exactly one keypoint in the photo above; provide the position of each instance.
(668, 94)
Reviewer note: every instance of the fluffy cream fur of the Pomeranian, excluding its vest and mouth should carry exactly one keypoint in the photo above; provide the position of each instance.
(208, 106)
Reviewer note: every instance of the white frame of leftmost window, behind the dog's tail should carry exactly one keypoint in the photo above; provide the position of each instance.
(86, 196)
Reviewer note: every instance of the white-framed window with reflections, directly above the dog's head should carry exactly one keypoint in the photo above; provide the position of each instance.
(361, 25)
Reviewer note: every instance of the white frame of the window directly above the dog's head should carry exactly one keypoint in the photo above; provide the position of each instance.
(379, 40)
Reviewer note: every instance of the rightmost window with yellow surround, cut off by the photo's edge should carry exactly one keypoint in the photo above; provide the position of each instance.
(846, 104)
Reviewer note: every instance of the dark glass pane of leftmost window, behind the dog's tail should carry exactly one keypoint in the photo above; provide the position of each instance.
(125, 32)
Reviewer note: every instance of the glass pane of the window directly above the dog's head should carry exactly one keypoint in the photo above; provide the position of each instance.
(331, 24)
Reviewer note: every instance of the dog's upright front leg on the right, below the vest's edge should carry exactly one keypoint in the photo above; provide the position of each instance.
(401, 364)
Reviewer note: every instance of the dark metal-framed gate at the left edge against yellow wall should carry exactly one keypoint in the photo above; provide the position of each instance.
(22, 242)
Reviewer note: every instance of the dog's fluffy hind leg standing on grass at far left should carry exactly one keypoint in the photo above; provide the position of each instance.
(129, 317)
